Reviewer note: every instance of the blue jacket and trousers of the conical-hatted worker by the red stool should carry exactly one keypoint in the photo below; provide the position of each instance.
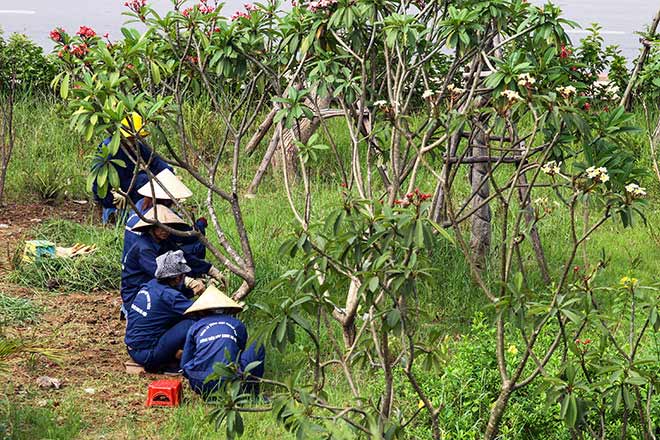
(209, 340)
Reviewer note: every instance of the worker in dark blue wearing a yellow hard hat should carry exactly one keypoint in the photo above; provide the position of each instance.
(126, 154)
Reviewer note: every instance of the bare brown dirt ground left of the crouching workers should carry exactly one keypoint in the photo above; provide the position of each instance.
(84, 329)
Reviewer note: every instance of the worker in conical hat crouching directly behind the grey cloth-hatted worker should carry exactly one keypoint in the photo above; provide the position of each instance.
(139, 264)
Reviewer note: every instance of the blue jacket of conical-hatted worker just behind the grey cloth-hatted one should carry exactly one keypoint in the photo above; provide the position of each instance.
(139, 265)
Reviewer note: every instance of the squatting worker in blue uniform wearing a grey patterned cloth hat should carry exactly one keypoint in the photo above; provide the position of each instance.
(156, 328)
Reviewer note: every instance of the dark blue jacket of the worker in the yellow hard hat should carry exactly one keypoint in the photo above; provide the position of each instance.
(126, 173)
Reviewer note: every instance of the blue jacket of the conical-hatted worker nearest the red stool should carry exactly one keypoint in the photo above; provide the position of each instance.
(207, 341)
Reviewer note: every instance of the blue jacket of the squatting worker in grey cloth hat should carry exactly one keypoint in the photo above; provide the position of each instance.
(156, 308)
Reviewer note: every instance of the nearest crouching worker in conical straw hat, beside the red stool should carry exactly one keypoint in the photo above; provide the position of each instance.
(218, 336)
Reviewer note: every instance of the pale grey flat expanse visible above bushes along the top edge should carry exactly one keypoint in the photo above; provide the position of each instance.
(619, 18)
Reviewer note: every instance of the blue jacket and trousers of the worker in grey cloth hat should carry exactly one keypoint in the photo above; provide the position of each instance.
(155, 328)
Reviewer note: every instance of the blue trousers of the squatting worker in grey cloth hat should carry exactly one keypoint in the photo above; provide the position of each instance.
(163, 354)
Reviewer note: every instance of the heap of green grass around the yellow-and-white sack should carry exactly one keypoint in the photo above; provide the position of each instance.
(98, 271)
